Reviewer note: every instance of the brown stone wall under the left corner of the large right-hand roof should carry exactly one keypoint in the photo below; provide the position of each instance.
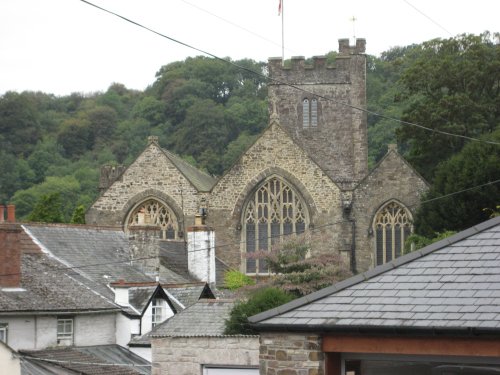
(291, 354)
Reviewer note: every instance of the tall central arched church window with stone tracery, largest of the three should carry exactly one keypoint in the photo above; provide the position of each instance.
(272, 212)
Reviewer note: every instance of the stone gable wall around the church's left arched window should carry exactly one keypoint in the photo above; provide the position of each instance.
(151, 175)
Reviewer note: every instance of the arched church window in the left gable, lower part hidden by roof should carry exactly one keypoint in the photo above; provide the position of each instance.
(155, 214)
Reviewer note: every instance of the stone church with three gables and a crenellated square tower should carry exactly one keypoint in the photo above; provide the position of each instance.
(307, 173)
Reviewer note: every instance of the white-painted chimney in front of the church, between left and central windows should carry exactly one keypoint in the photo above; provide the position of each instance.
(201, 250)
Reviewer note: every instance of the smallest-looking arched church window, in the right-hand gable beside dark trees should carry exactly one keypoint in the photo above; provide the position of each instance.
(392, 226)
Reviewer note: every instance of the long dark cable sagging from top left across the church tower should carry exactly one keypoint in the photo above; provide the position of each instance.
(288, 84)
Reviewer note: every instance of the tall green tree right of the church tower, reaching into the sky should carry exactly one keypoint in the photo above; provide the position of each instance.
(453, 86)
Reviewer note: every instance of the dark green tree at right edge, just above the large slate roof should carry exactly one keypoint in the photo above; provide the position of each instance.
(477, 165)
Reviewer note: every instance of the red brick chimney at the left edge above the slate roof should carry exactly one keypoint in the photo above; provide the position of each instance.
(10, 256)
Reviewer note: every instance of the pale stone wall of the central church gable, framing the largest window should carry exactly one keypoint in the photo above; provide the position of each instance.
(274, 153)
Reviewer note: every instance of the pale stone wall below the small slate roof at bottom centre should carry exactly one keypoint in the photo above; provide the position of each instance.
(187, 355)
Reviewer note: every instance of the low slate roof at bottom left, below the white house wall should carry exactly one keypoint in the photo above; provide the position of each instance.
(91, 360)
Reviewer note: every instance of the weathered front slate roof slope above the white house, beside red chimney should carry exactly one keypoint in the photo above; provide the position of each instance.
(47, 287)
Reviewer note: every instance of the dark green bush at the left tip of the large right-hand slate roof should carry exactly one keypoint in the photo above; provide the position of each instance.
(262, 300)
